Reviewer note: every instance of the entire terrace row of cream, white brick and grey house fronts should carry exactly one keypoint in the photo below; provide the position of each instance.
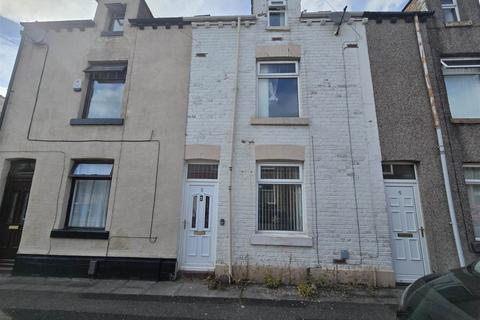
(254, 145)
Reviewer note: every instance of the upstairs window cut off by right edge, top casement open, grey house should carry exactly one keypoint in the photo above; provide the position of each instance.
(462, 80)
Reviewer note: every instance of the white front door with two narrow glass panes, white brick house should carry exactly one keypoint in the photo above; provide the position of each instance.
(199, 227)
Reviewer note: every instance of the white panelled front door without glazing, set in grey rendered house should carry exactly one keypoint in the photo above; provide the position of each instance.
(410, 257)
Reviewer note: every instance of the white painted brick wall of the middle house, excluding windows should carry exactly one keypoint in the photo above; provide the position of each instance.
(323, 101)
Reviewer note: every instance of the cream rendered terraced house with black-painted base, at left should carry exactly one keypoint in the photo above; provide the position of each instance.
(92, 145)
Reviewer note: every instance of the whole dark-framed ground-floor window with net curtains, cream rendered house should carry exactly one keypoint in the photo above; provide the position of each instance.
(90, 194)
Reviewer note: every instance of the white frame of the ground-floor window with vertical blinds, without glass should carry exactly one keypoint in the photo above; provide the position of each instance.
(300, 181)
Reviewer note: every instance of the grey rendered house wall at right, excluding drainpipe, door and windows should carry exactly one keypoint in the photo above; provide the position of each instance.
(405, 119)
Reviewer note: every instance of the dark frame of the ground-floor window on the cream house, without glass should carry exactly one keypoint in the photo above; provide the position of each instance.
(74, 178)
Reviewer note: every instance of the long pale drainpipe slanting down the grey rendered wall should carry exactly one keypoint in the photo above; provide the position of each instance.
(441, 146)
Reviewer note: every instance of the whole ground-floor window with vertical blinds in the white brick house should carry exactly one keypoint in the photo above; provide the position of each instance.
(280, 202)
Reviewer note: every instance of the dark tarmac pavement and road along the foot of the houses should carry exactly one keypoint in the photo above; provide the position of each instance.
(28, 298)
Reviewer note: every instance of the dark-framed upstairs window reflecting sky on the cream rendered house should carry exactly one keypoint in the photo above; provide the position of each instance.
(105, 91)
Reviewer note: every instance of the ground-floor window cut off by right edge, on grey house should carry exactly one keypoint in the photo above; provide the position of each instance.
(472, 181)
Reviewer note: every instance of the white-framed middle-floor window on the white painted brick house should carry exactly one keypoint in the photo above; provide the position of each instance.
(278, 89)
